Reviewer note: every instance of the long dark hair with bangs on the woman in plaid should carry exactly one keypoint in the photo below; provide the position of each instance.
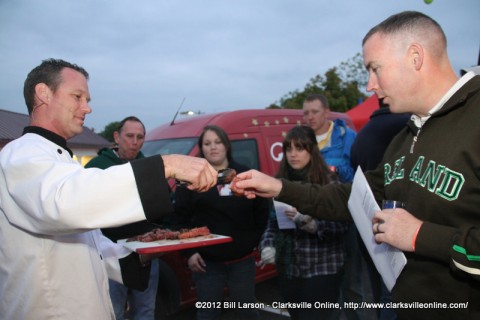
(303, 137)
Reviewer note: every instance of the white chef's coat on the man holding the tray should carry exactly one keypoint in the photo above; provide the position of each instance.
(53, 258)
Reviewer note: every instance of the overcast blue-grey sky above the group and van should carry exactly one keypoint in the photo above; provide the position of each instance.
(145, 56)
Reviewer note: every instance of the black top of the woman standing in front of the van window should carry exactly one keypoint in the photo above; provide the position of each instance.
(242, 219)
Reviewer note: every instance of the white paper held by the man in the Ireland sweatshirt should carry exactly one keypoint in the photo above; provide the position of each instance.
(388, 260)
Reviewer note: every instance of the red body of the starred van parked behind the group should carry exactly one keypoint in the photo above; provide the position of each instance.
(256, 137)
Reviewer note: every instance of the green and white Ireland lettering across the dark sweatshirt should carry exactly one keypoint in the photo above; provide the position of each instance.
(436, 178)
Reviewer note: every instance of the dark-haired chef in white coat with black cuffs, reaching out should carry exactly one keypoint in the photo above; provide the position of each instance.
(54, 262)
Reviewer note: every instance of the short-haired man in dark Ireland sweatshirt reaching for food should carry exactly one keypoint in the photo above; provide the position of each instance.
(433, 164)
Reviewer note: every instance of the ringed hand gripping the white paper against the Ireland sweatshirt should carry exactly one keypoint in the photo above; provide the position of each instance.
(397, 227)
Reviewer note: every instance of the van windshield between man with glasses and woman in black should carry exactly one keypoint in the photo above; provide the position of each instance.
(169, 146)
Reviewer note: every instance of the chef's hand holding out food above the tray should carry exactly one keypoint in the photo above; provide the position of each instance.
(196, 172)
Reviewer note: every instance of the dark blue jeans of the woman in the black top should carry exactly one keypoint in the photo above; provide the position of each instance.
(238, 277)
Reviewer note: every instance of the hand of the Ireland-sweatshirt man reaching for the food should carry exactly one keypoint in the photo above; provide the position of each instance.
(253, 183)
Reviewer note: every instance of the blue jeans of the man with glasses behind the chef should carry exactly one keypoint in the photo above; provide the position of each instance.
(142, 303)
